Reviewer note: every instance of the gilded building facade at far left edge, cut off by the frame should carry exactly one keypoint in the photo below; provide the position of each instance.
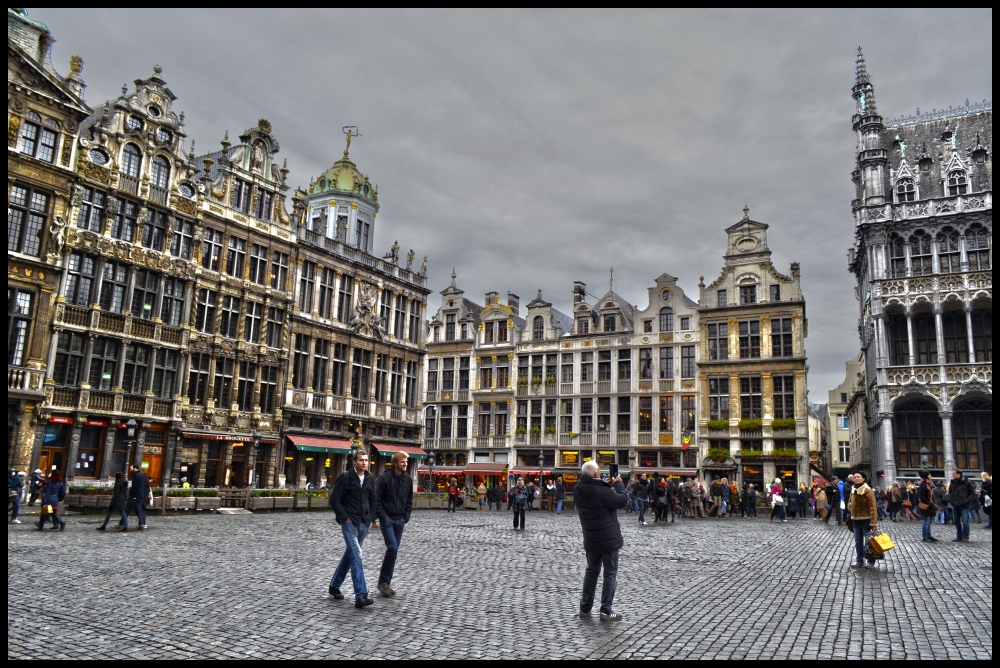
(44, 112)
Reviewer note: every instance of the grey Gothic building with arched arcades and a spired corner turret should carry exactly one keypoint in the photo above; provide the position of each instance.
(922, 258)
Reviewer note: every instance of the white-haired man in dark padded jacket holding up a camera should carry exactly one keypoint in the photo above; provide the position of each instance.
(598, 502)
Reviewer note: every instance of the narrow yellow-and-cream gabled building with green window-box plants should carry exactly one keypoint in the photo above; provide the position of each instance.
(752, 369)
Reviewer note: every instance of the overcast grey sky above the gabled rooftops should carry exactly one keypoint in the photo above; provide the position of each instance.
(531, 149)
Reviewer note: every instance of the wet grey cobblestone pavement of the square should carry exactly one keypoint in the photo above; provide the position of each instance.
(469, 587)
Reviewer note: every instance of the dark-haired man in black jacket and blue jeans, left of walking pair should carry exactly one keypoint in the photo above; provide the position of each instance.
(352, 501)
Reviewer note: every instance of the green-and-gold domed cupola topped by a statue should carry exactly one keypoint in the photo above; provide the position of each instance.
(341, 204)
